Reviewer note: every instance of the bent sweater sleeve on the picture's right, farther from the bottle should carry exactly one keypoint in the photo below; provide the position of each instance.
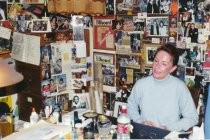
(187, 111)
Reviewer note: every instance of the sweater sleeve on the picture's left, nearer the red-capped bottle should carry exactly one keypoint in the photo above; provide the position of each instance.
(133, 104)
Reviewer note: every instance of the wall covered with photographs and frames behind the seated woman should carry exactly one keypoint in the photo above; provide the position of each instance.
(115, 47)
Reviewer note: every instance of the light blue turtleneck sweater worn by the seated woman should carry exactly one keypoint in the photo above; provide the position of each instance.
(163, 102)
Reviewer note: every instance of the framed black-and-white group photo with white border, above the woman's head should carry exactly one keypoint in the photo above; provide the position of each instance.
(157, 26)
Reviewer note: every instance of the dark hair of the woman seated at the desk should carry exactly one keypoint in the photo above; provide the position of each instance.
(170, 49)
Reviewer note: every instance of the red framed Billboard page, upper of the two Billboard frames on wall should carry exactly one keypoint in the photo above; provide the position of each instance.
(103, 33)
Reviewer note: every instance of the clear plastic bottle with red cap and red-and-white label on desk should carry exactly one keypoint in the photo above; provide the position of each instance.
(123, 124)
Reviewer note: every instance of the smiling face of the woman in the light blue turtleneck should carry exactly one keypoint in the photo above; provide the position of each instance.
(162, 65)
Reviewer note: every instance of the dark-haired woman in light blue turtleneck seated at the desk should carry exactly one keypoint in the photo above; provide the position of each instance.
(162, 100)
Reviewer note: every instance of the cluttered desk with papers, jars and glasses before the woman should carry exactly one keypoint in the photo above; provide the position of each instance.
(85, 124)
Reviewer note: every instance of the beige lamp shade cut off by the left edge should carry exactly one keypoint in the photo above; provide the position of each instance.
(8, 75)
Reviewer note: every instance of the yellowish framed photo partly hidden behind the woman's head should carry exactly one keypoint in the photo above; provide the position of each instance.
(150, 50)
